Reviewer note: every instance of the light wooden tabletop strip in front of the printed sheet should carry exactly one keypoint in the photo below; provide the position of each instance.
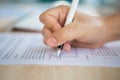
(40, 72)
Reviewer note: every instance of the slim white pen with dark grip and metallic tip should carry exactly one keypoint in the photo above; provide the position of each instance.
(69, 20)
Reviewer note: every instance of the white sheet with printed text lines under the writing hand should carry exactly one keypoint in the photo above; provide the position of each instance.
(28, 48)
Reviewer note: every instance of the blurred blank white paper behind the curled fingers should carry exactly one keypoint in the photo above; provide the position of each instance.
(30, 22)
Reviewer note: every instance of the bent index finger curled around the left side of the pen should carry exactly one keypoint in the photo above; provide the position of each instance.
(54, 18)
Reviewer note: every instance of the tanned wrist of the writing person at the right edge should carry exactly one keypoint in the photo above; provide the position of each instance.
(112, 28)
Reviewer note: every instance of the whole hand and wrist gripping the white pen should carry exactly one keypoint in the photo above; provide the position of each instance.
(85, 31)
